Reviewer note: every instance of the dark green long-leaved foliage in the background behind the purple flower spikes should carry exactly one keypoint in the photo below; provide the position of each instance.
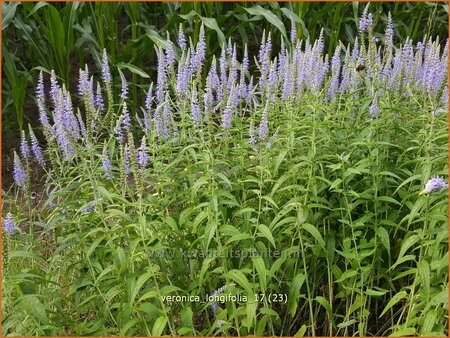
(64, 36)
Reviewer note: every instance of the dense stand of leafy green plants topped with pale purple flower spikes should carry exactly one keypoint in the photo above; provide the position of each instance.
(326, 159)
